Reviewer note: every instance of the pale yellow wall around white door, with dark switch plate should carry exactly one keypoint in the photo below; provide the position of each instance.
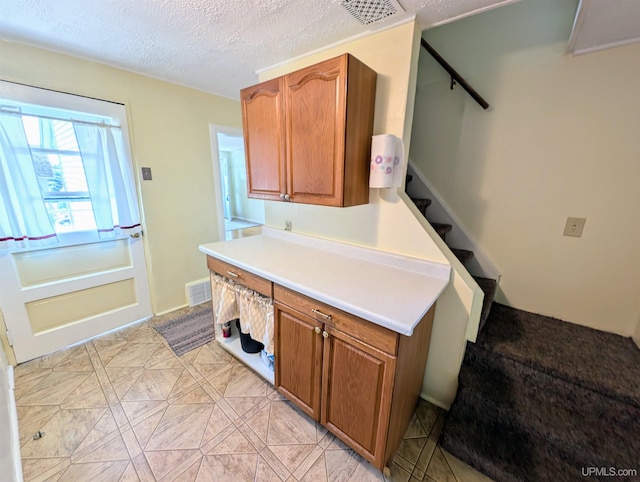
(169, 127)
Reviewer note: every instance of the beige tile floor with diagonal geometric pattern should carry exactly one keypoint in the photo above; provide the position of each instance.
(123, 407)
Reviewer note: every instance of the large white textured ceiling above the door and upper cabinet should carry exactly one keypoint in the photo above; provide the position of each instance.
(212, 45)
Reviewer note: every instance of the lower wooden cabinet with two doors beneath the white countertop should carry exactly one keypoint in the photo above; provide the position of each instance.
(360, 381)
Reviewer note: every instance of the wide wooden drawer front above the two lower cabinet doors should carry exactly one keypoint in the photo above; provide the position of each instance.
(365, 331)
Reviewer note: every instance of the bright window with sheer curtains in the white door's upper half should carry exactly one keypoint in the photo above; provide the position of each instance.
(67, 174)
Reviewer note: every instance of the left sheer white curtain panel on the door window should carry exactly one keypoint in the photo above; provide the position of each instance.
(24, 221)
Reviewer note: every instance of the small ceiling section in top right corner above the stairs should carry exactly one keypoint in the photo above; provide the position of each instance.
(605, 23)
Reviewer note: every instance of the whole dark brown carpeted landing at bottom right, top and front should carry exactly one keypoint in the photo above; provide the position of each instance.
(542, 399)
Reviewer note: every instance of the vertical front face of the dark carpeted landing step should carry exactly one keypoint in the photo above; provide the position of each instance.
(516, 423)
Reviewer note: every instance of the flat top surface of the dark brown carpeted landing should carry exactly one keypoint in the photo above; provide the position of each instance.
(603, 362)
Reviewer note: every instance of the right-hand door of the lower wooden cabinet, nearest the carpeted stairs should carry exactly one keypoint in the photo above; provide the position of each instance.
(357, 388)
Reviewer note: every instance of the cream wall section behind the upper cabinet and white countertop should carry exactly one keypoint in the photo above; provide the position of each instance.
(390, 222)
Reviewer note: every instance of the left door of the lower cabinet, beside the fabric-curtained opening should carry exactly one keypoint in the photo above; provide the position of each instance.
(298, 359)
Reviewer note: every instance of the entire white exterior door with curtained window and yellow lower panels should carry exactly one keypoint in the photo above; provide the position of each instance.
(84, 284)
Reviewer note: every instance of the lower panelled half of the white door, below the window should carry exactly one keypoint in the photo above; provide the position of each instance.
(54, 297)
